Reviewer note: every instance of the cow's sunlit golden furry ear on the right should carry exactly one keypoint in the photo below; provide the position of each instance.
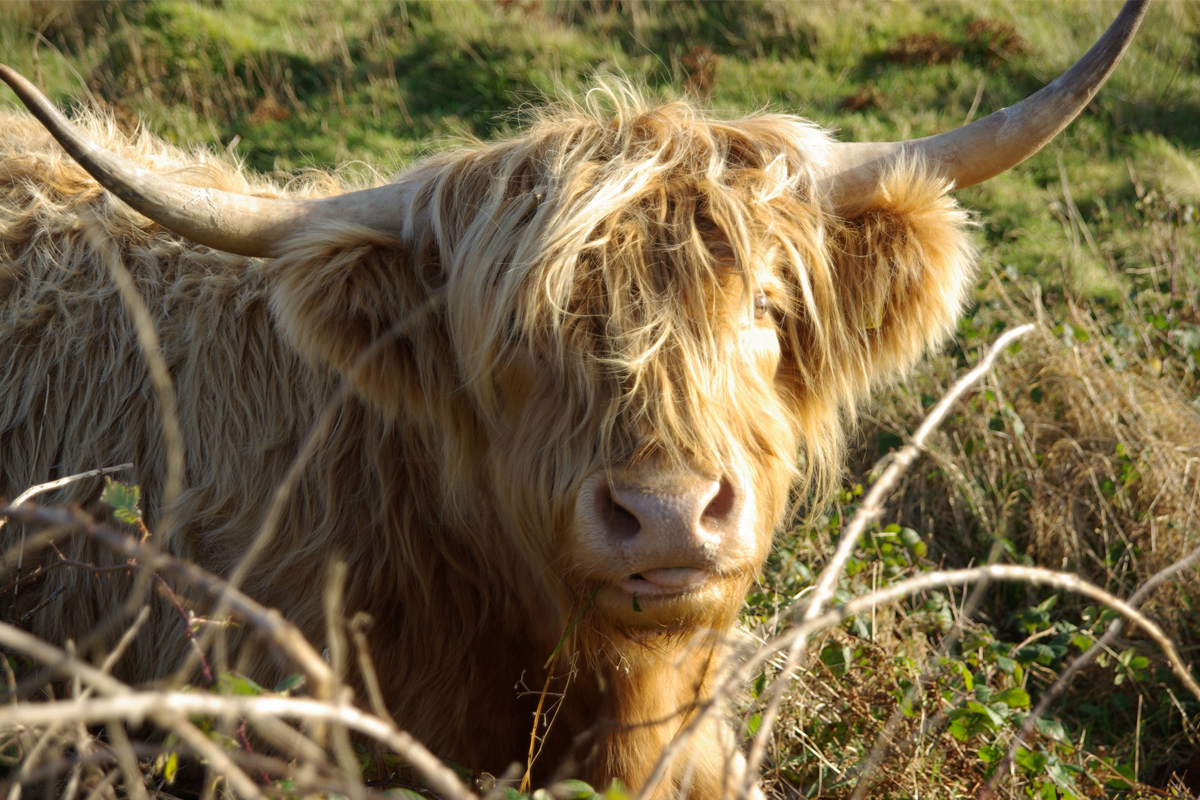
(895, 278)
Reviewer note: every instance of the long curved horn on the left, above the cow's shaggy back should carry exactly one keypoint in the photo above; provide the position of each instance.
(227, 221)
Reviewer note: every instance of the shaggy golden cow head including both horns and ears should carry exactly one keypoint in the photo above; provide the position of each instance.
(634, 320)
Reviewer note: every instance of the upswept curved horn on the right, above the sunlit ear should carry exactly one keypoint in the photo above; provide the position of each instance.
(975, 153)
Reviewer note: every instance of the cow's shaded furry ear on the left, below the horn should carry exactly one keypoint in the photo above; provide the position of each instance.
(359, 302)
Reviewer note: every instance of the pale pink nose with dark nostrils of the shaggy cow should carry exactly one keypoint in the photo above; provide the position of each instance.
(685, 516)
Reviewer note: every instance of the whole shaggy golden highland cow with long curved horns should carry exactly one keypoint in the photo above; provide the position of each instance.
(590, 365)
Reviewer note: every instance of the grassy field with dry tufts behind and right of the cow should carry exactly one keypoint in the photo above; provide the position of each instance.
(1082, 453)
